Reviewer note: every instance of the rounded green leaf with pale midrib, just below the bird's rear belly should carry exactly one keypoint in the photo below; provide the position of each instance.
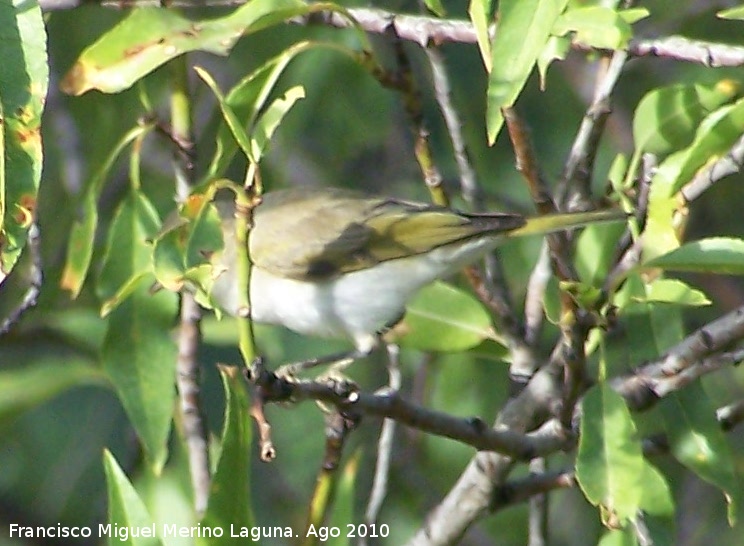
(444, 318)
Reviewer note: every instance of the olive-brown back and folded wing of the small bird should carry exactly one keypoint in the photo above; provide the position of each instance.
(321, 234)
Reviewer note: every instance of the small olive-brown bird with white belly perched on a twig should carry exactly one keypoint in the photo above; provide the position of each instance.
(342, 264)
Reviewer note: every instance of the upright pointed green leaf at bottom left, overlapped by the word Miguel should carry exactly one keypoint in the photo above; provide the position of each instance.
(125, 508)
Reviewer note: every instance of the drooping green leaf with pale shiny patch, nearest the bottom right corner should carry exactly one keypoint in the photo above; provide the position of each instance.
(697, 441)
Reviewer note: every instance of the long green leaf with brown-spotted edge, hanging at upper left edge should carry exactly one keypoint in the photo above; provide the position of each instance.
(24, 79)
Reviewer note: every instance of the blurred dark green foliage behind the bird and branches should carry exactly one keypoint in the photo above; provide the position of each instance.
(351, 132)
